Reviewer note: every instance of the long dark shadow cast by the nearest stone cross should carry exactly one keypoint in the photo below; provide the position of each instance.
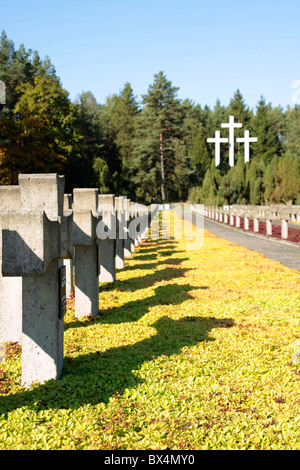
(96, 377)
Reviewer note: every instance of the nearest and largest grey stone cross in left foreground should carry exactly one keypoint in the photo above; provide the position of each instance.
(34, 239)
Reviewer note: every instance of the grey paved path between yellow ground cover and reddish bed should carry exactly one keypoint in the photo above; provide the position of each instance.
(277, 250)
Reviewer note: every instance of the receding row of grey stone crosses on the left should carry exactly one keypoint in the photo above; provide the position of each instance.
(44, 233)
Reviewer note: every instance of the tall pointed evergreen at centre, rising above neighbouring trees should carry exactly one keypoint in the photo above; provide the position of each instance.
(159, 148)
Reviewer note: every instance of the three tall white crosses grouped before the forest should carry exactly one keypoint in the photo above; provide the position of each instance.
(217, 140)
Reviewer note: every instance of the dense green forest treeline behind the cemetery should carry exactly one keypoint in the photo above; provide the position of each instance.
(150, 150)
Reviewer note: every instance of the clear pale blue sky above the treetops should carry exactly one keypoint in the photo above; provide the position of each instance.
(208, 49)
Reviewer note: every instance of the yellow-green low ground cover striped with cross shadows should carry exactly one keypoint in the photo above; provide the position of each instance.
(192, 350)
